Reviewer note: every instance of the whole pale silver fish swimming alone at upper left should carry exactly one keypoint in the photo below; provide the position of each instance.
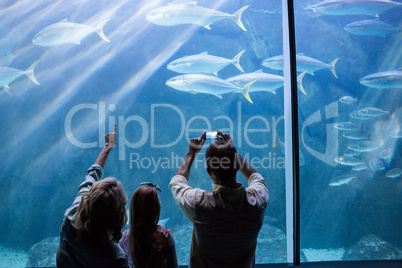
(67, 32)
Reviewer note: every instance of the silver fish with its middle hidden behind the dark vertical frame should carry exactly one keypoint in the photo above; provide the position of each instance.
(303, 63)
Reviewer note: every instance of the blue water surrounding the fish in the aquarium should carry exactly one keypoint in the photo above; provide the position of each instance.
(86, 88)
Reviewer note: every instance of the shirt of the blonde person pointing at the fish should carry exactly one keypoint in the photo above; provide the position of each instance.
(74, 254)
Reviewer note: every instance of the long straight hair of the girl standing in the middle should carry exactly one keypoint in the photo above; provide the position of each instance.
(145, 209)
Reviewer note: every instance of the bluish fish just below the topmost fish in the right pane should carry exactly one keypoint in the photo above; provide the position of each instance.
(370, 27)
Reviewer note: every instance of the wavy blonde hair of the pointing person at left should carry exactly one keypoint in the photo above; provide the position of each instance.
(102, 214)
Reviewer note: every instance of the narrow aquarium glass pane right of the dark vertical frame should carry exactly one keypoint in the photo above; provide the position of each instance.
(350, 129)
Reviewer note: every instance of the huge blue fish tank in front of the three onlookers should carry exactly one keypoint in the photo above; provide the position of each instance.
(164, 71)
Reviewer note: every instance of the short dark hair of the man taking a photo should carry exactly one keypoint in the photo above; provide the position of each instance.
(221, 158)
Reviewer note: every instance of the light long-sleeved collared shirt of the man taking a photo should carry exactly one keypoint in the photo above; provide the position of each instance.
(226, 221)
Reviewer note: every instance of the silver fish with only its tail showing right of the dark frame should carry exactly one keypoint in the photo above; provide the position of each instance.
(263, 81)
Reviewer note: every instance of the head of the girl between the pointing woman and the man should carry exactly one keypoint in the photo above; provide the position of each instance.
(145, 207)
